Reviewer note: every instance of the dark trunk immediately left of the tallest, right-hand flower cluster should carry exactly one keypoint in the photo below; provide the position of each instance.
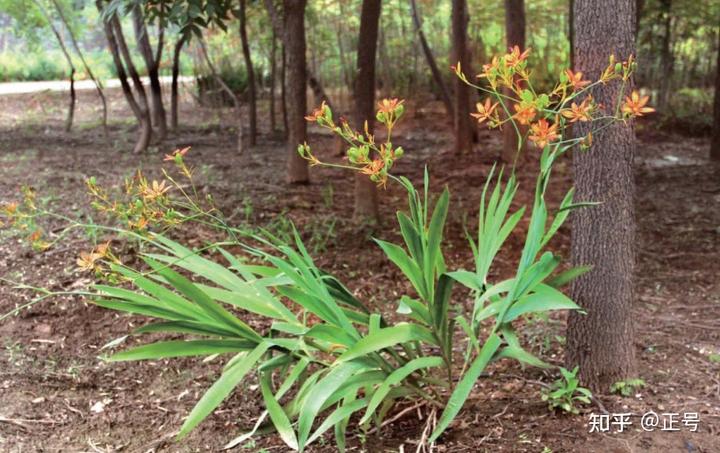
(463, 131)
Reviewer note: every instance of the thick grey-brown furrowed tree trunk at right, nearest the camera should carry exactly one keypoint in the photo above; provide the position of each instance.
(601, 342)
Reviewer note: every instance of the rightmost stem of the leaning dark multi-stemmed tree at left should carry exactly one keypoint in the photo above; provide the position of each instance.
(151, 63)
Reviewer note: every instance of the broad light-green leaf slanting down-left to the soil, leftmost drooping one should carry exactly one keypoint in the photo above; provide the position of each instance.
(221, 389)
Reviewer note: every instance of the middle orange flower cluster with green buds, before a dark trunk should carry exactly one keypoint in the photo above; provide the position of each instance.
(364, 153)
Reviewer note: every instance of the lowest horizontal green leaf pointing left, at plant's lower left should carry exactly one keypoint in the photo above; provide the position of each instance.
(166, 349)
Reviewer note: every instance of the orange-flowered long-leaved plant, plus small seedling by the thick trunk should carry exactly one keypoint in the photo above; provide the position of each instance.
(324, 359)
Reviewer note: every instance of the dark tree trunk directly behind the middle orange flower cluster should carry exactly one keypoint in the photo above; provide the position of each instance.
(366, 197)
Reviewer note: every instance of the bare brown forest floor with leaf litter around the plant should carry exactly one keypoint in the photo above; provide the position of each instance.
(57, 395)
